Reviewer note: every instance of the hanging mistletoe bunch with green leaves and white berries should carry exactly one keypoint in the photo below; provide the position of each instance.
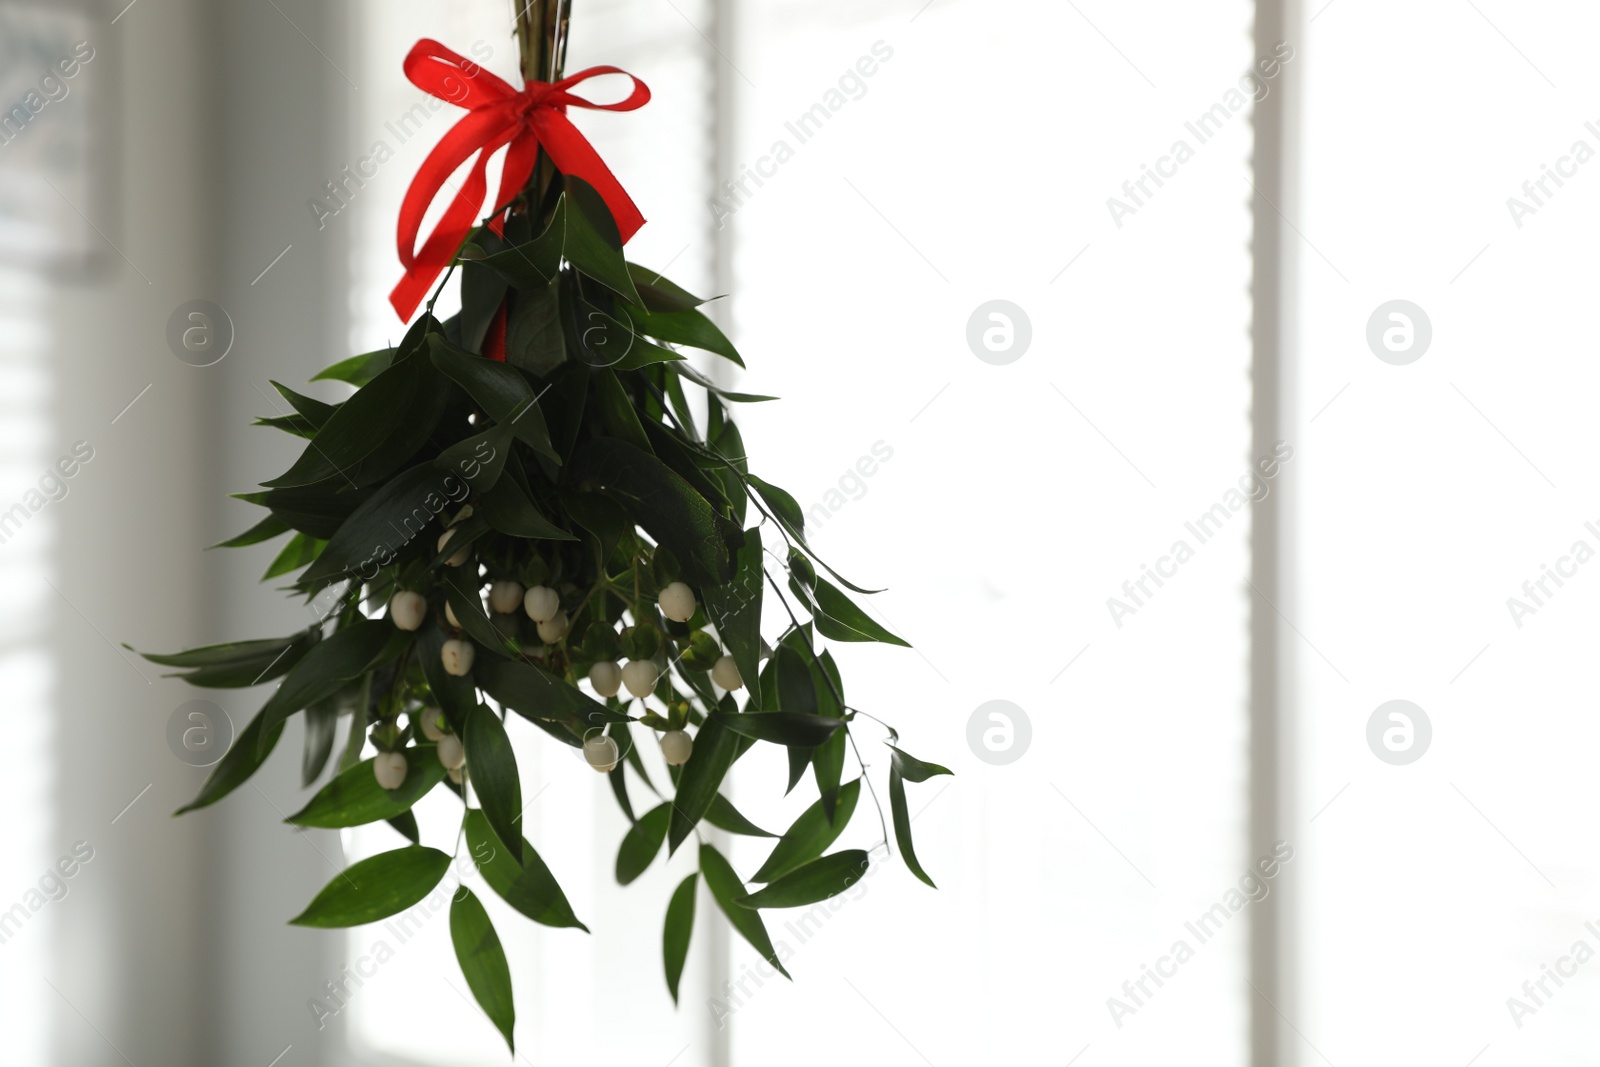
(518, 516)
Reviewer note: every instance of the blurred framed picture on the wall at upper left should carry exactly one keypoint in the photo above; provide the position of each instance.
(57, 148)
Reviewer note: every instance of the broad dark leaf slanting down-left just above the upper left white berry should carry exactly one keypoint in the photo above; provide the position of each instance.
(388, 522)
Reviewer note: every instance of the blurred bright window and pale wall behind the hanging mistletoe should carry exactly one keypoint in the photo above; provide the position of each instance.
(1199, 378)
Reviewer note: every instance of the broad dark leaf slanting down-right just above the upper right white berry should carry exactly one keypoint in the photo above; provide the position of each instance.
(663, 503)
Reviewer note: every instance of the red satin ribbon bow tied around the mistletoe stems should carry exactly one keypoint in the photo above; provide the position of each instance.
(498, 116)
